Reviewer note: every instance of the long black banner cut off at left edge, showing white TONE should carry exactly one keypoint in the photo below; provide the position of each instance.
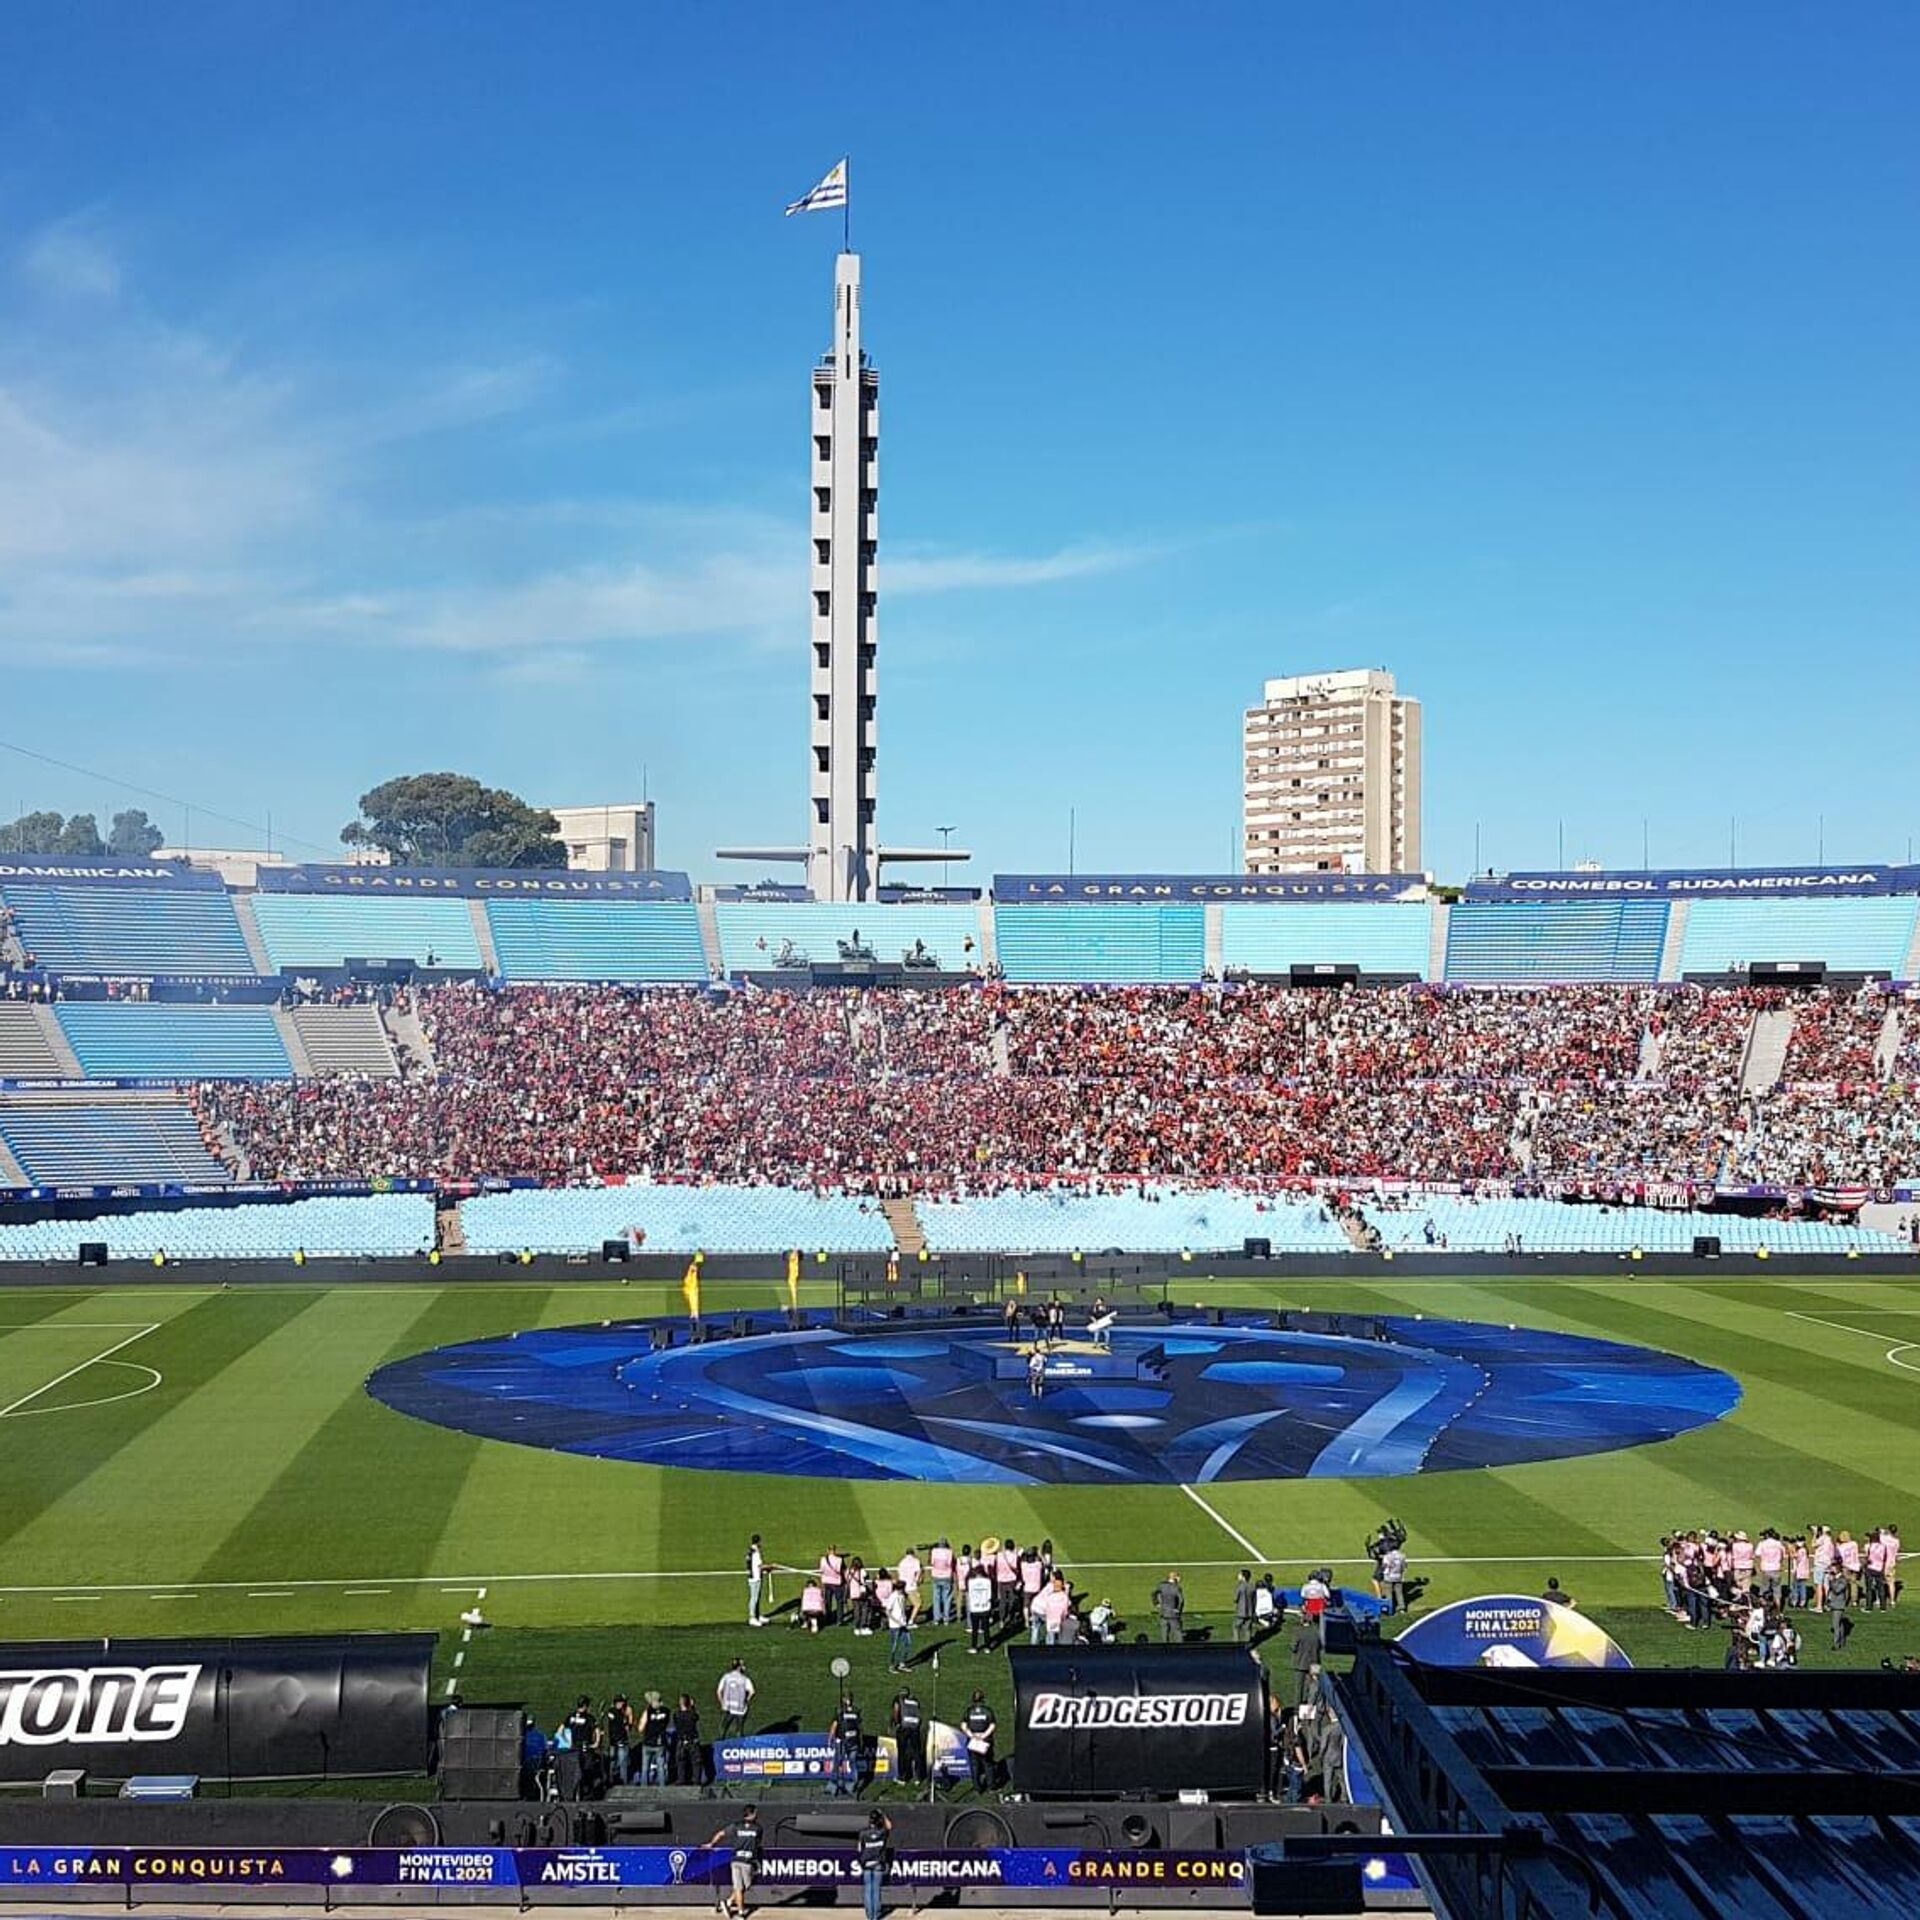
(247, 1710)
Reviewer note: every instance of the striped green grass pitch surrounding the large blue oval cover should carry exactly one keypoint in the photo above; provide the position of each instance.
(187, 1462)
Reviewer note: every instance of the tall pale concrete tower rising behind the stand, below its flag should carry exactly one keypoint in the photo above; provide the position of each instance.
(842, 863)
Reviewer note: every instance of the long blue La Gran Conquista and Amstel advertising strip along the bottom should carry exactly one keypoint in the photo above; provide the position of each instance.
(57, 1869)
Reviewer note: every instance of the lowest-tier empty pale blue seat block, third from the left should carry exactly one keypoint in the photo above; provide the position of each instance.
(1161, 1220)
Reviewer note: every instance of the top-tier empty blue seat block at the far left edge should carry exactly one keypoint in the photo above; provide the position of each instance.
(130, 930)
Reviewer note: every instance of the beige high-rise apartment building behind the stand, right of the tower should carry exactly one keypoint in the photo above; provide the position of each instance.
(1333, 777)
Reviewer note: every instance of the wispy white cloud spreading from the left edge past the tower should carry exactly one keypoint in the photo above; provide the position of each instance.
(166, 496)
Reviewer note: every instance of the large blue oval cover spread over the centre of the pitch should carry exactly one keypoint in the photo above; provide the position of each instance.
(1228, 1399)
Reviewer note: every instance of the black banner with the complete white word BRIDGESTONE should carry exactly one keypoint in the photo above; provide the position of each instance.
(1101, 1721)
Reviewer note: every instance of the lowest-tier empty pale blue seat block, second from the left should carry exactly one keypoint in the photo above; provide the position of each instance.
(675, 1220)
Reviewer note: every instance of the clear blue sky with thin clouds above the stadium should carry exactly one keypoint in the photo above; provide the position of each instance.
(389, 389)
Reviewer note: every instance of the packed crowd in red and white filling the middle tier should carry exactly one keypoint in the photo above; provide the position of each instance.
(994, 1088)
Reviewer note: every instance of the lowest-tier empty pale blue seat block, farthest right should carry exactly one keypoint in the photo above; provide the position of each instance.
(1562, 1228)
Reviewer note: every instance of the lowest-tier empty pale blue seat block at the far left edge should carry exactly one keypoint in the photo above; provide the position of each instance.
(373, 1226)
